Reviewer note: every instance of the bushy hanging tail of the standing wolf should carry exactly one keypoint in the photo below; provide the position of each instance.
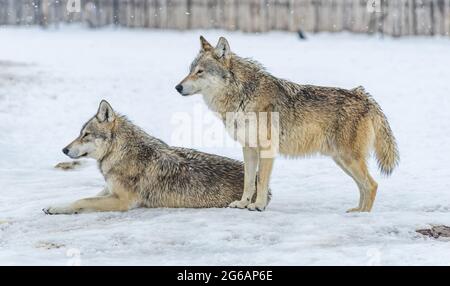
(386, 150)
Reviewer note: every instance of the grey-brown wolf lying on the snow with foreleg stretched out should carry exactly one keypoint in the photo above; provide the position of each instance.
(143, 171)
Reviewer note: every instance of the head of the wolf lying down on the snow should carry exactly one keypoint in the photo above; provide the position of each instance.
(96, 135)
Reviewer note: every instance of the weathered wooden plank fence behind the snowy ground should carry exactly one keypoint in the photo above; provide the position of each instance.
(393, 17)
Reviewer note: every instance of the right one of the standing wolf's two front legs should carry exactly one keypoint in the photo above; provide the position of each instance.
(262, 188)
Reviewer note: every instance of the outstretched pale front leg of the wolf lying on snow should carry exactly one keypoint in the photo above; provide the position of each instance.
(95, 204)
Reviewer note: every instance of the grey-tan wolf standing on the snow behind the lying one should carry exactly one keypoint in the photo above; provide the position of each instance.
(343, 124)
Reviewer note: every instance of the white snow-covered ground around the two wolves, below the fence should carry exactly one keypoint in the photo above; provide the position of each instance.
(51, 82)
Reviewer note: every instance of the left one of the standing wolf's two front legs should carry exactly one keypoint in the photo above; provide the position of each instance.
(250, 167)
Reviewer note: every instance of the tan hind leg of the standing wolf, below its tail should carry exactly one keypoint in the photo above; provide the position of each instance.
(357, 169)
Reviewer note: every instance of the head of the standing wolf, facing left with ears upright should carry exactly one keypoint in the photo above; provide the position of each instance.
(209, 72)
